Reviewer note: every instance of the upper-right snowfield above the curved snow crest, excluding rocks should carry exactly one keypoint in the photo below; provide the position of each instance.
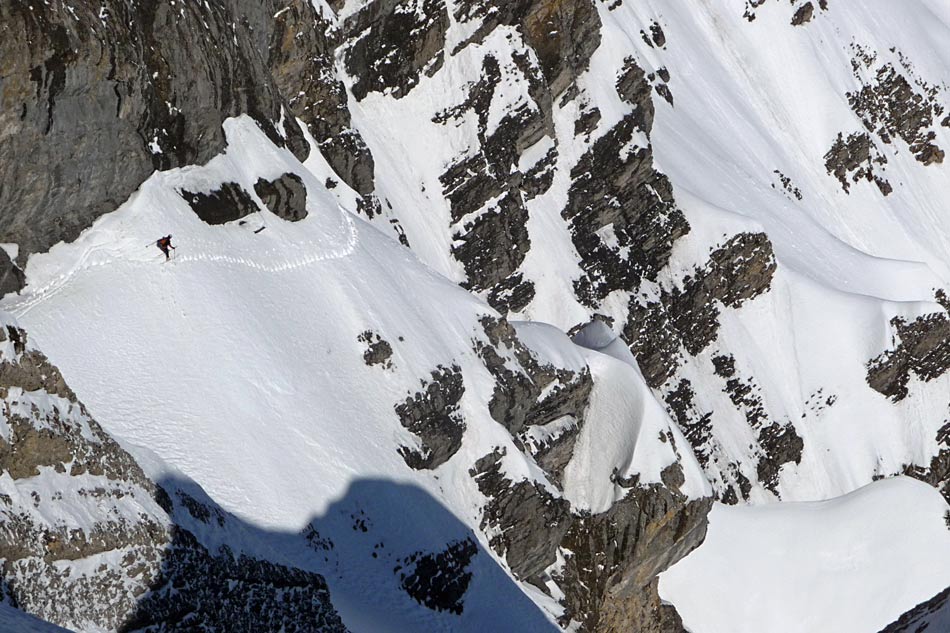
(753, 97)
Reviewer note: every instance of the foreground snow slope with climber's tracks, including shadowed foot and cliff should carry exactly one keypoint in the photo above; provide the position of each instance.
(345, 396)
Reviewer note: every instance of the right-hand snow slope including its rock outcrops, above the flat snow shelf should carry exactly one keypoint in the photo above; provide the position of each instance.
(760, 104)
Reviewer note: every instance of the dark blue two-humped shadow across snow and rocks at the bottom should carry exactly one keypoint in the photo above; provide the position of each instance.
(385, 556)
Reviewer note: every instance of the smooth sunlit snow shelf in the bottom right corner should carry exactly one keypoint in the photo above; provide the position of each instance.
(851, 564)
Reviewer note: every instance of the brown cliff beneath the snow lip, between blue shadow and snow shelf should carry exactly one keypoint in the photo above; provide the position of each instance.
(610, 560)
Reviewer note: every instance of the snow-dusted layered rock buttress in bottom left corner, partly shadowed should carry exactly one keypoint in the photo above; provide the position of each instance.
(88, 539)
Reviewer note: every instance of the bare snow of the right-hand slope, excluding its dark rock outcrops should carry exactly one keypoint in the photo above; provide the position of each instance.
(753, 98)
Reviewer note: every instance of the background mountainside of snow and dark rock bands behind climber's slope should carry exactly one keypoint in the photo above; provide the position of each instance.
(753, 286)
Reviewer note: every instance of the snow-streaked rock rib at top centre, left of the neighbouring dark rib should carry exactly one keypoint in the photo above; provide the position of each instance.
(490, 185)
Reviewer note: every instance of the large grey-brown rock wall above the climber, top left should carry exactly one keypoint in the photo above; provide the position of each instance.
(128, 88)
